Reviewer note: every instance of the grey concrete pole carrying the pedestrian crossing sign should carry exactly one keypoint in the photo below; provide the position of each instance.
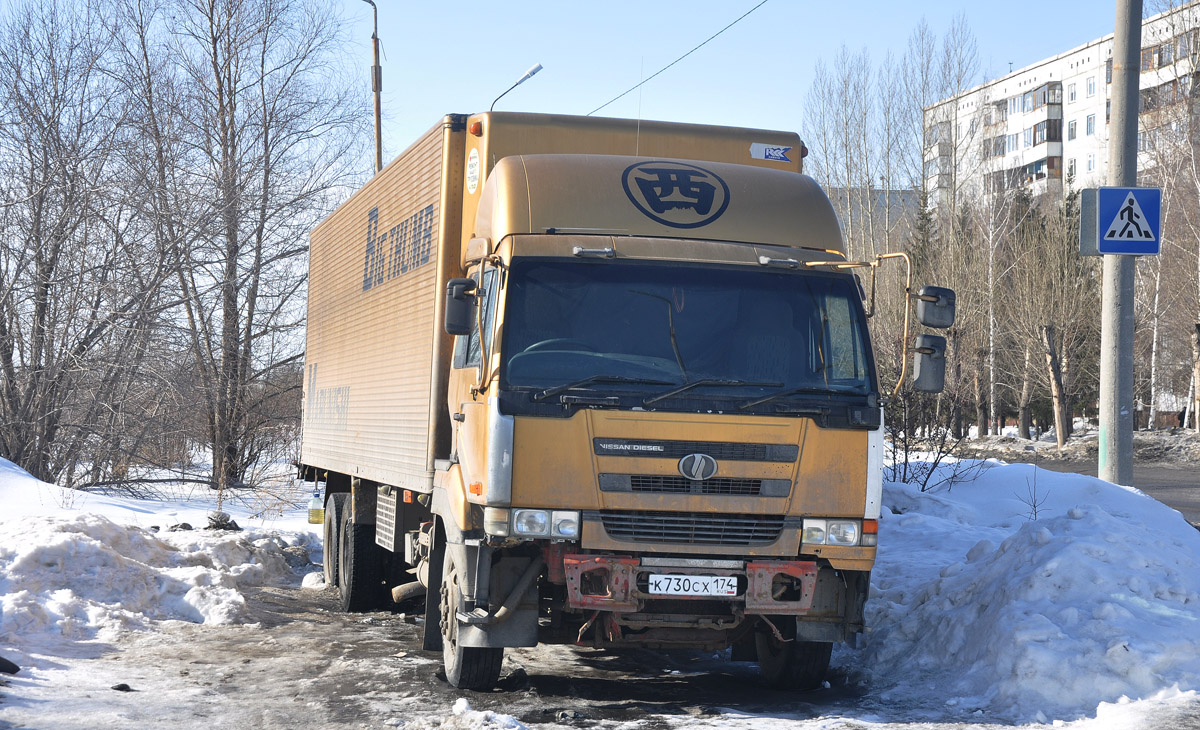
(1117, 319)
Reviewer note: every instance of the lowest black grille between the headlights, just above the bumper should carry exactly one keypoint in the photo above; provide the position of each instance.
(692, 529)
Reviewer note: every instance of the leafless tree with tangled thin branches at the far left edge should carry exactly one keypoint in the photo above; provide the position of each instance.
(77, 288)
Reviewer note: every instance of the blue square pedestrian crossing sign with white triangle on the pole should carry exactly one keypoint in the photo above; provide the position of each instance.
(1129, 220)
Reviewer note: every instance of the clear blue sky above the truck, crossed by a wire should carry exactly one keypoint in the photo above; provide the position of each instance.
(458, 57)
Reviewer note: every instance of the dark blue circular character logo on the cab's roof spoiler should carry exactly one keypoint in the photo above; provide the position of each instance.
(676, 194)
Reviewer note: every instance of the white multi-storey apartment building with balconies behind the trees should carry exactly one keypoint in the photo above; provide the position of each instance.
(1046, 128)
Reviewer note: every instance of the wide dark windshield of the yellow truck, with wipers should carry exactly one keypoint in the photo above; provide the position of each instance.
(655, 328)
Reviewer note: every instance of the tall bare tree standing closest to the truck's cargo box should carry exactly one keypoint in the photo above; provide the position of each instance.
(266, 123)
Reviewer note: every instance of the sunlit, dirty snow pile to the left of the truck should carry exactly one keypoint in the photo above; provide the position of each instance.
(76, 576)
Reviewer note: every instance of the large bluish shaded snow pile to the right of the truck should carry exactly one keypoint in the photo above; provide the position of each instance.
(1025, 595)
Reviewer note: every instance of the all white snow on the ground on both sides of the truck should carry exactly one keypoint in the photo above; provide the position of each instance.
(1015, 597)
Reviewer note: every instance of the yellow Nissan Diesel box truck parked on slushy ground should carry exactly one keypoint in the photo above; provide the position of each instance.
(601, 382)
